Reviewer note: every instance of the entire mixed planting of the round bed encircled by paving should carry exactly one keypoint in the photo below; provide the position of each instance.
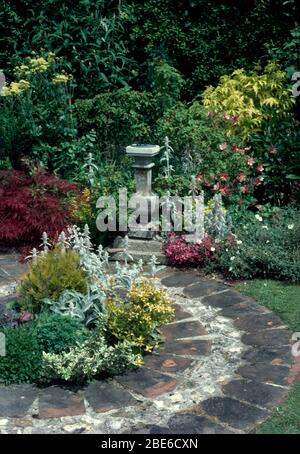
(81, 326)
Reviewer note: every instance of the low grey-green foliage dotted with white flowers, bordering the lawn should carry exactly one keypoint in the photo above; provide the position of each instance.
(266, 245)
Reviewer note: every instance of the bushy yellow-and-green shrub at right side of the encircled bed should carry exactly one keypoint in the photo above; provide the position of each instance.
(137, 319)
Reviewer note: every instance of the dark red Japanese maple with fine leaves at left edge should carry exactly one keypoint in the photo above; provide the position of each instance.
(31, 205)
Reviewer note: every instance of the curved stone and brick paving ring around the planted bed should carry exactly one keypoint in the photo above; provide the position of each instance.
(223, 367)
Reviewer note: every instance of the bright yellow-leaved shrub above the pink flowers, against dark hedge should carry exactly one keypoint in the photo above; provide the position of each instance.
(249, 99)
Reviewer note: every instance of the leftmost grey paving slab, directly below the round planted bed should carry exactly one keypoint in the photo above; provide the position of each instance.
(15, 400)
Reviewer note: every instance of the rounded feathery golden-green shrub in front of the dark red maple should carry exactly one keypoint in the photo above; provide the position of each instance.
(50, 276)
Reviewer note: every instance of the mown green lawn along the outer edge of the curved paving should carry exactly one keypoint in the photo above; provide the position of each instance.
(284, 300)
